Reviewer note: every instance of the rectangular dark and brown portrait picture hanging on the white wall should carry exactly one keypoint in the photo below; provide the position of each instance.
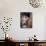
(26, 19)
